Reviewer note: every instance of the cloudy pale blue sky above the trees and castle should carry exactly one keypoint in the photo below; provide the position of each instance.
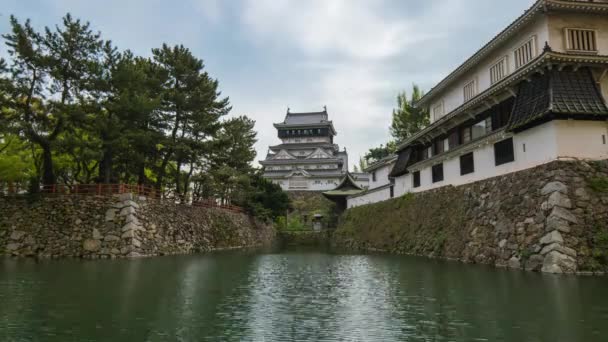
(353, 56)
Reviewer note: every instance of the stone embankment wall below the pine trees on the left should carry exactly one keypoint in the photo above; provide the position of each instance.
(122, 226)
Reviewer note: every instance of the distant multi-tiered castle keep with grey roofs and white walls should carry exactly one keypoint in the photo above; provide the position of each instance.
(307, 158)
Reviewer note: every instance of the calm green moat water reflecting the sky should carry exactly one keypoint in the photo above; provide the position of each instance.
(294, 296)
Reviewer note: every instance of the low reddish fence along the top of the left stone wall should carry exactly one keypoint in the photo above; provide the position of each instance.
(117, 189)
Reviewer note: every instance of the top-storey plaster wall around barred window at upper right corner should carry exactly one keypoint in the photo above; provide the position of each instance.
(561, 21)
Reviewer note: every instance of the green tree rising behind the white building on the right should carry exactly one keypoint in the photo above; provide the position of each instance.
(407, 118)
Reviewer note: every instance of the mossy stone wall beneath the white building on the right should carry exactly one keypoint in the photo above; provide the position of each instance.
(552, 218)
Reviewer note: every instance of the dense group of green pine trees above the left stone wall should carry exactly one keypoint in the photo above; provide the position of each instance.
(75, 109)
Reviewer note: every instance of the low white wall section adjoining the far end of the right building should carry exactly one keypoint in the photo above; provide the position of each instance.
(381, 185)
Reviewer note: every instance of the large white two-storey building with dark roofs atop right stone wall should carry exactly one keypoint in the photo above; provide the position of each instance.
(534, 94)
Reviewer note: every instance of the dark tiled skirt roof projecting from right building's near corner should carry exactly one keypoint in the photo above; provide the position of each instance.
(557, 94)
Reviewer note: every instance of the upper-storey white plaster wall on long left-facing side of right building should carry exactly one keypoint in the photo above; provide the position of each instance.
(453, 96)
